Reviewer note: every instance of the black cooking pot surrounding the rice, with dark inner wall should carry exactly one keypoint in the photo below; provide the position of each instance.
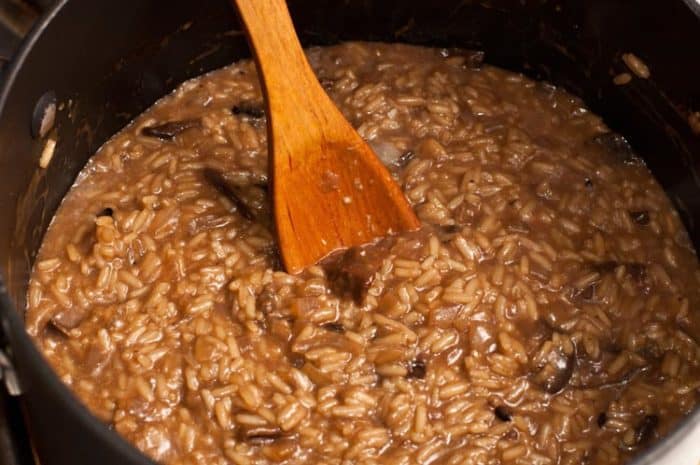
(104, 62)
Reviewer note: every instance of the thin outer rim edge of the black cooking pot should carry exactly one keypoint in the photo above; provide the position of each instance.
(662, 450)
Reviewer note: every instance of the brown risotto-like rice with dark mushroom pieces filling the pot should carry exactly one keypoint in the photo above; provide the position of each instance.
(546, 313)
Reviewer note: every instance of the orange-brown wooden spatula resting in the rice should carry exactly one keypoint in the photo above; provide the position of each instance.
(329, 189)
